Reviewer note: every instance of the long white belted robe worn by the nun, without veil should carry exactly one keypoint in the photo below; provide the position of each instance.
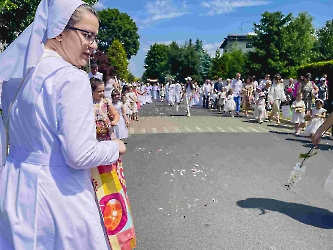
(46, 196)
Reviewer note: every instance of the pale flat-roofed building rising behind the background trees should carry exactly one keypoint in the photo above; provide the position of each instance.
(236, 41)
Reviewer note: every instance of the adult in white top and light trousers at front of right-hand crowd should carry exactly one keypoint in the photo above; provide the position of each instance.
(276, 96)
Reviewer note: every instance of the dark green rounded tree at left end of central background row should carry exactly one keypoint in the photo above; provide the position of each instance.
(156, 62)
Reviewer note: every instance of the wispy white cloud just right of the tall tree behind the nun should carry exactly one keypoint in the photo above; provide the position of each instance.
(163, 9)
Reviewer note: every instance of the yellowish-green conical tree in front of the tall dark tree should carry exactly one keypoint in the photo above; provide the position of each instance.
(117, 58)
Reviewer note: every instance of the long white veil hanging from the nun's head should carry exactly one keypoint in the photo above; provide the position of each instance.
(25, 52)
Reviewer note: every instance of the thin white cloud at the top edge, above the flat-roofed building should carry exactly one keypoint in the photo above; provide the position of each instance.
(228, 6)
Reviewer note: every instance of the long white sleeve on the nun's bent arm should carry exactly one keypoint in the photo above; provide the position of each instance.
(76, 124)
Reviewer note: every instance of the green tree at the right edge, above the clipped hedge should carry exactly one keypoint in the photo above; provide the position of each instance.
(325, 42)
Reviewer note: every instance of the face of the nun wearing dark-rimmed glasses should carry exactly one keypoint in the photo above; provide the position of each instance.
(75, 43)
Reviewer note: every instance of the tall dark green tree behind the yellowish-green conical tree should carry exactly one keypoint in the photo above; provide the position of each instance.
(120, 26)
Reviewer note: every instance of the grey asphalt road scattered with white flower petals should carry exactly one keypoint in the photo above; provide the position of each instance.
(207, 189)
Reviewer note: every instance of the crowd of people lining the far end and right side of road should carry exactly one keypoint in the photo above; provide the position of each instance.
(306, 100)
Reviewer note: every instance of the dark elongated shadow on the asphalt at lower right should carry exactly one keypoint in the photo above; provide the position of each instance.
(313, 216)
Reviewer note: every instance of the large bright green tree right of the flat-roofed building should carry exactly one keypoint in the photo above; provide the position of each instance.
(282, 43)
